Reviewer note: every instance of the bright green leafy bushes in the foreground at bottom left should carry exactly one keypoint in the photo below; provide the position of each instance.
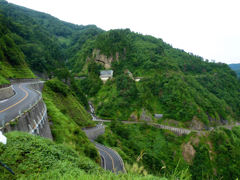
(33, 157)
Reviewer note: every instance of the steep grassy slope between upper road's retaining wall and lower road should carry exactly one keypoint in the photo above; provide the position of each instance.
(67, 116)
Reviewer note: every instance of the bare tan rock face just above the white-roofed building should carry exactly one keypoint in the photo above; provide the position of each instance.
(103, 59)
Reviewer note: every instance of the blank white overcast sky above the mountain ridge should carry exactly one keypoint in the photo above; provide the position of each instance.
(209, 28)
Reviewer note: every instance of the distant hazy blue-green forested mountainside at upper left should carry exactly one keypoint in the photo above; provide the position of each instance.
(44, 39)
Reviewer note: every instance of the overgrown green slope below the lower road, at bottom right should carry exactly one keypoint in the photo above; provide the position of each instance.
(212, 155)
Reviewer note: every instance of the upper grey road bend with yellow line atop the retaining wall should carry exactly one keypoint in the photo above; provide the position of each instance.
(24, 97)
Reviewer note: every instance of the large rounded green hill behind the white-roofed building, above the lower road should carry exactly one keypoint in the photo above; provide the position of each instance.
(177, 84)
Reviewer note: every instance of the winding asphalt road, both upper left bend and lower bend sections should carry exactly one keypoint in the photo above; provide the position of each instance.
(25, 97)
